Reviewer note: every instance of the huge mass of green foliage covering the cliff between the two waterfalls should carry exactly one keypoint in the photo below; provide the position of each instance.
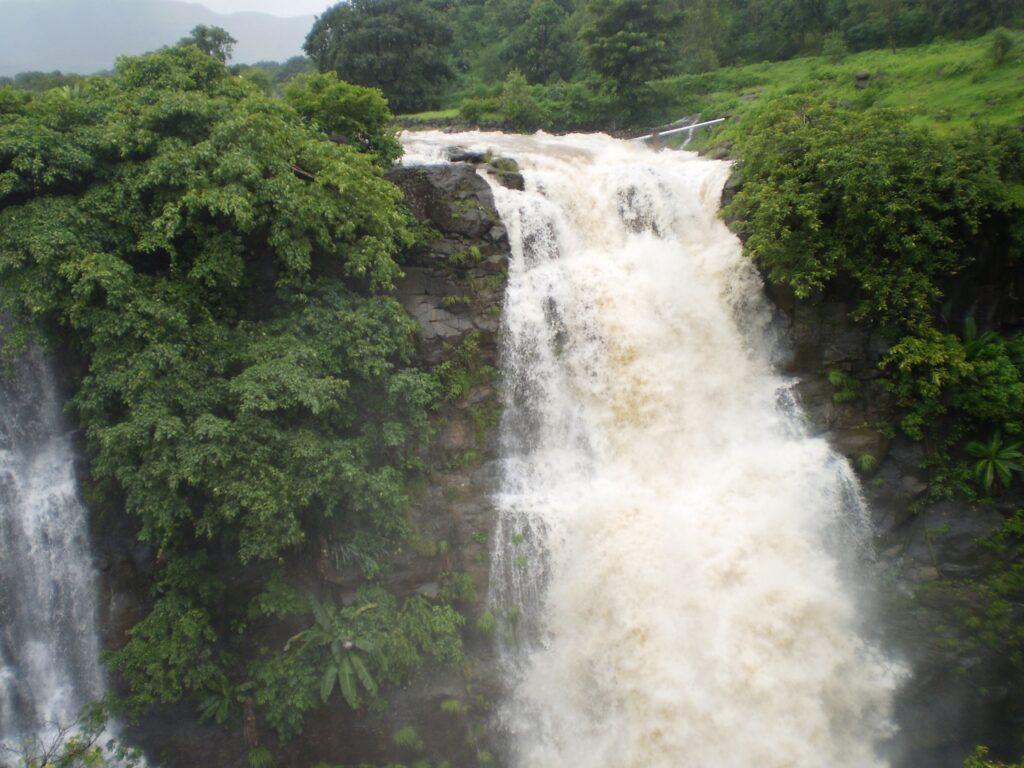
(222, 270)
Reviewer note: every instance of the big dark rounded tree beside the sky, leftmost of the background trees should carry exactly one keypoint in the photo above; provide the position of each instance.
(400, 47)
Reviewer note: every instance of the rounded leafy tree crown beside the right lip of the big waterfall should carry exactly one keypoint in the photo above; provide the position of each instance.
(839, 194)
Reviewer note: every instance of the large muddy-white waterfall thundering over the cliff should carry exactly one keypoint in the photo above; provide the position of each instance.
(670, 560)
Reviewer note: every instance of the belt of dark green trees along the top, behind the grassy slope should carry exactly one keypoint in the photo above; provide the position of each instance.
(424, 54)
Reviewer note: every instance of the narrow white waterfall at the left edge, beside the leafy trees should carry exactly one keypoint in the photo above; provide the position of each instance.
(50, 643)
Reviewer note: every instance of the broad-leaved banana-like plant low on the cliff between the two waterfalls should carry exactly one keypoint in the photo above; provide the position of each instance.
(351, 654)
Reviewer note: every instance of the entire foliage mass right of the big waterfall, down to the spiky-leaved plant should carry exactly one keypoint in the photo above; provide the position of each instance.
(856, 202)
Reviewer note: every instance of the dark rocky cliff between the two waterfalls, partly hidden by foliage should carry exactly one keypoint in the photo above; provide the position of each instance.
(453, 286)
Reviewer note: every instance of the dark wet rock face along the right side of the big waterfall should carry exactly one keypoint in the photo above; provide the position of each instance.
(962, 692)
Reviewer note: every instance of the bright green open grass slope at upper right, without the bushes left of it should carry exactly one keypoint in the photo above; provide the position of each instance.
(948, 87)
